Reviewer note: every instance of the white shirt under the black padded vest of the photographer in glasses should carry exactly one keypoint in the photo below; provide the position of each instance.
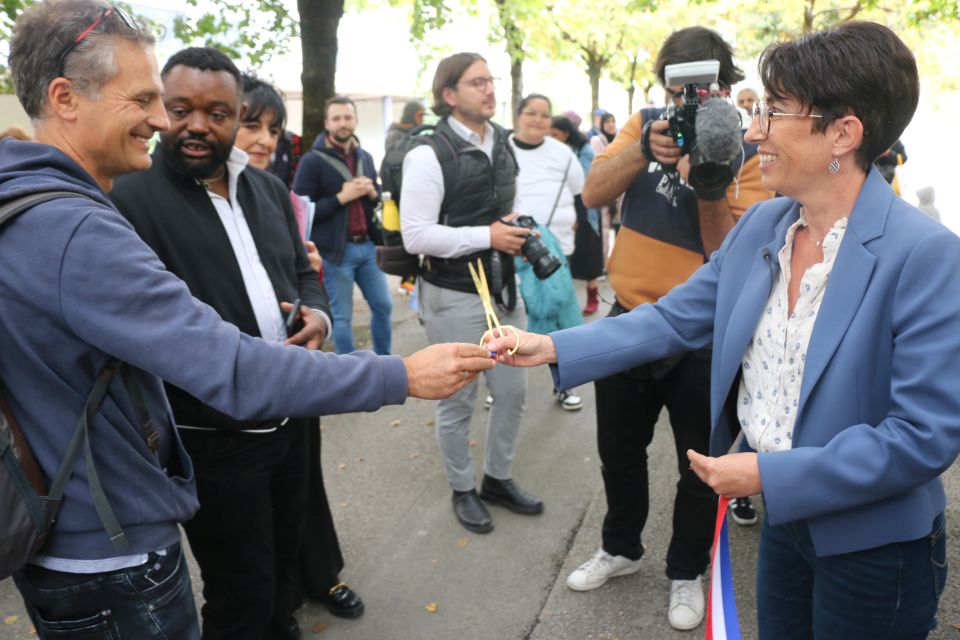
(423, 195)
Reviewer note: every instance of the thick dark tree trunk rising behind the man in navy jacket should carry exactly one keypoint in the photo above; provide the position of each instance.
(318, 41)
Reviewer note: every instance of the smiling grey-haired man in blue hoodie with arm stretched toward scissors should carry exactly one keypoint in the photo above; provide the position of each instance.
(80, 287)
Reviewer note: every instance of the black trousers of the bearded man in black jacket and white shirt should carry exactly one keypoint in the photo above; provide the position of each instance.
(247, 534)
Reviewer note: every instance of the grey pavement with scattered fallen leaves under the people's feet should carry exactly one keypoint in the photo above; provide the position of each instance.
(423, 576)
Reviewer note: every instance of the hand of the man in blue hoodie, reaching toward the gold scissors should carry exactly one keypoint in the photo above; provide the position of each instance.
(440, 370)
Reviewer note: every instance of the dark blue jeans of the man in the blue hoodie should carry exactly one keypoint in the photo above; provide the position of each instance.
(151, 602)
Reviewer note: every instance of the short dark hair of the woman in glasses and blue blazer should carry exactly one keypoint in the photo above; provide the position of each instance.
(857, 68)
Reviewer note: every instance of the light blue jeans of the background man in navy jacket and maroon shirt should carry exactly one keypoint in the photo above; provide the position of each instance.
(359, 265)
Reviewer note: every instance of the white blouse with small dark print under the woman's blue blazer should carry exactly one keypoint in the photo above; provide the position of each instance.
(774, 362)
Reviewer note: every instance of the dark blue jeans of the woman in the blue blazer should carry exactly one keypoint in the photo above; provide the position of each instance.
(885, 592)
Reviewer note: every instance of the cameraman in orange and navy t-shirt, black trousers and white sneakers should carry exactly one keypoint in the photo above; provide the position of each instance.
(667, 231)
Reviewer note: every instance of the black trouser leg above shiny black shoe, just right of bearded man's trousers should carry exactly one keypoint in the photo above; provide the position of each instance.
(320, 558)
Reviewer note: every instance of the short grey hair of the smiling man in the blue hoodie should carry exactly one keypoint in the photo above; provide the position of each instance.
(41, 33)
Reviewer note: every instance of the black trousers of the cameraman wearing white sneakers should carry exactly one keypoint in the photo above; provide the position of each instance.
(628, 405)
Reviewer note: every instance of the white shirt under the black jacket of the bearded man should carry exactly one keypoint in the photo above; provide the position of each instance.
(257, 283)
